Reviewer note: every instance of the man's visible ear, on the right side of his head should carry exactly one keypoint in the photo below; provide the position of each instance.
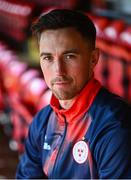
(95, 57)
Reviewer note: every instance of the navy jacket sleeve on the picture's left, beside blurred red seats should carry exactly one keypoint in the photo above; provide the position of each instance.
(30, 165)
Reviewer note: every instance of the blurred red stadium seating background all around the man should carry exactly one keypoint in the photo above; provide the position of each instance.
(22, 89)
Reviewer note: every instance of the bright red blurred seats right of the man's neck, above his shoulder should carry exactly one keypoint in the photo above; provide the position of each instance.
(114, 69)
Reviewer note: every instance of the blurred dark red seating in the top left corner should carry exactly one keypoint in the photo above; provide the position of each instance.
(15, 18)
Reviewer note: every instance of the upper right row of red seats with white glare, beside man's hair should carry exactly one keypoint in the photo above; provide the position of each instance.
(114, 30)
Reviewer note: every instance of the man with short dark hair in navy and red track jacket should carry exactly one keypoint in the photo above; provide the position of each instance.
(85, 131)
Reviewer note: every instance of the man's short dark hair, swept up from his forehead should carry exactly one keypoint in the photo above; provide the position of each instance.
(63, 18)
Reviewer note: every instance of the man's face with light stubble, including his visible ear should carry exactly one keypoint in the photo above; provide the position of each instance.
(66, 61)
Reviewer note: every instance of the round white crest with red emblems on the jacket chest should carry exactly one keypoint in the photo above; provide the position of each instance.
(80, 152)
